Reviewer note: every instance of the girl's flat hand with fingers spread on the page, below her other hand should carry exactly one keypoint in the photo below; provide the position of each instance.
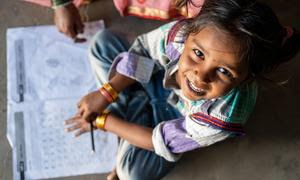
(79, 125)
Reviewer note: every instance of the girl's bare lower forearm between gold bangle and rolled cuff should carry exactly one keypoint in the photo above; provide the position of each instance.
(135, 134)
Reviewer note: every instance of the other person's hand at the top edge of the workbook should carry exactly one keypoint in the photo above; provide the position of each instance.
(68, 21)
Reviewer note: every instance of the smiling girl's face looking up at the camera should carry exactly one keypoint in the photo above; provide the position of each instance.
(209, 66)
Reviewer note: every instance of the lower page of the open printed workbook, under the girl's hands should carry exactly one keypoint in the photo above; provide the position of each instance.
(52, 152)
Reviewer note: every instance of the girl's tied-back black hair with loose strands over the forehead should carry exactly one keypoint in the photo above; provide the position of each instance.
(254, 26)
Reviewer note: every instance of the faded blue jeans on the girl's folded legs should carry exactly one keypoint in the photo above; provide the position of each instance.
(144, 104)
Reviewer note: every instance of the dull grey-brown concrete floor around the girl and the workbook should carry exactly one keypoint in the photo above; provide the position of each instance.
(269, 151)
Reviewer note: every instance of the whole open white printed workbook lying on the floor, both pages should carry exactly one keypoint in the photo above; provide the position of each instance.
(57, 74)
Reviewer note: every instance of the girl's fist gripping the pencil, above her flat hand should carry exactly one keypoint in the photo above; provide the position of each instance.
(91, 105)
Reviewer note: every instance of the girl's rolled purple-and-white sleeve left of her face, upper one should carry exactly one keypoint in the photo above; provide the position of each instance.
(146, 54)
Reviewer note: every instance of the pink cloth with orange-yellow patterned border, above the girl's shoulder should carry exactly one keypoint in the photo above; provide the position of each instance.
(157, 9)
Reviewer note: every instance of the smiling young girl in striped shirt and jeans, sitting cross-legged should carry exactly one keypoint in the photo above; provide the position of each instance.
(185, 85)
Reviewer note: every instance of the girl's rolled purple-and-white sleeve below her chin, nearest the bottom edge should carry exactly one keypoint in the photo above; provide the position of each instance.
(171, 138)
